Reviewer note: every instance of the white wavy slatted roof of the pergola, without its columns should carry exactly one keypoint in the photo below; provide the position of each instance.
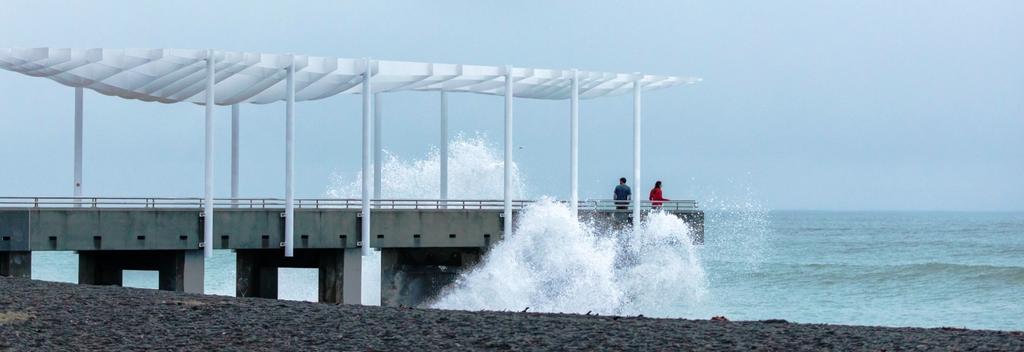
(179, 75)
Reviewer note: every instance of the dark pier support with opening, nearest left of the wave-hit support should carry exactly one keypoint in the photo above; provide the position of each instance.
(257, 273)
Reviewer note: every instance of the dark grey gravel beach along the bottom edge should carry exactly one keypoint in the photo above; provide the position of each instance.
(38, 316)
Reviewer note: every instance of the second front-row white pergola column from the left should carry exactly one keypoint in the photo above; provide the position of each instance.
(290, 162)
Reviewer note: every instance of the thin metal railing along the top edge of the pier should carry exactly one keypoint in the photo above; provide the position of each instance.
(271, 203)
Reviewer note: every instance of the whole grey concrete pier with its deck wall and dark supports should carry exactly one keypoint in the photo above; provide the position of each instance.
(424, 245)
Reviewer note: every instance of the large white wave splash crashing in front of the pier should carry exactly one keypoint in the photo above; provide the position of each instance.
(553, 262)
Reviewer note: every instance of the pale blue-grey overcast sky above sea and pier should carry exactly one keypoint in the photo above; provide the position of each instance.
(804, 105)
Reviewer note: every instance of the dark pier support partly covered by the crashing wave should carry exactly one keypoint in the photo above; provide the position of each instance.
(415, 277)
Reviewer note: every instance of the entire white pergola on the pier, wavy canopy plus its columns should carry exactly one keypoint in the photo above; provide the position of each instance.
(230, 78)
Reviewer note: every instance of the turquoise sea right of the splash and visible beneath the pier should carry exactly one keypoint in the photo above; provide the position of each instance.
(874, 269)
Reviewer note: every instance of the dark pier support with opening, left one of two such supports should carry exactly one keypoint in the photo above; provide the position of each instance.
(179, 271)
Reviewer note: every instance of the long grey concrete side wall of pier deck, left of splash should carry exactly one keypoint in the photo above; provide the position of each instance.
(102, 230)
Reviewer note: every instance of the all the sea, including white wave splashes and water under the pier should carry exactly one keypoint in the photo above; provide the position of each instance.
(875, 269)
